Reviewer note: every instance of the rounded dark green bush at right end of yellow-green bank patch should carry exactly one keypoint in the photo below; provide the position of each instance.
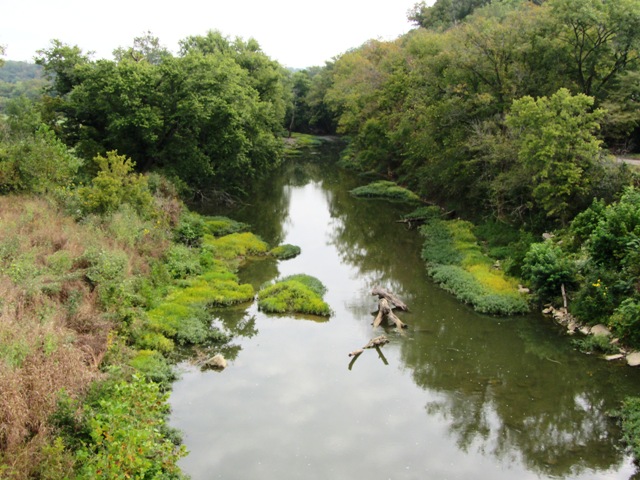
(546, 268)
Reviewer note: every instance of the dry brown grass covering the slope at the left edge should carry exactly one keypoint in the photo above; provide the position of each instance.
(53, 334)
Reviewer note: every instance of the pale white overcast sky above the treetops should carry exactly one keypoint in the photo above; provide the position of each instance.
(297, 33)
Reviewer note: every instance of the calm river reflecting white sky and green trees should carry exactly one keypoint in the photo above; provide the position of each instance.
(457, 395)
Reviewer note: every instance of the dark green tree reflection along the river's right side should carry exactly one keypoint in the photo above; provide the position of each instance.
(510, 390)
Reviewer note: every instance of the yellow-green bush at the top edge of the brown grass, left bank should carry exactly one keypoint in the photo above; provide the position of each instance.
(114, 185)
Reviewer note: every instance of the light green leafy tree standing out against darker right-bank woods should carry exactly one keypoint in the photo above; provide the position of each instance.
(555, 139)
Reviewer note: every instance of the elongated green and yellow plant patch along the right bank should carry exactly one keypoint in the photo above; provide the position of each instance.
(456, 262)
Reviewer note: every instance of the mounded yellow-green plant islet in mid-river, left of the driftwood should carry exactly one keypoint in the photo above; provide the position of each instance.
(294, 294)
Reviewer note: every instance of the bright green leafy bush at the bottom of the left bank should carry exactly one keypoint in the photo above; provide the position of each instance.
(125, 422)
